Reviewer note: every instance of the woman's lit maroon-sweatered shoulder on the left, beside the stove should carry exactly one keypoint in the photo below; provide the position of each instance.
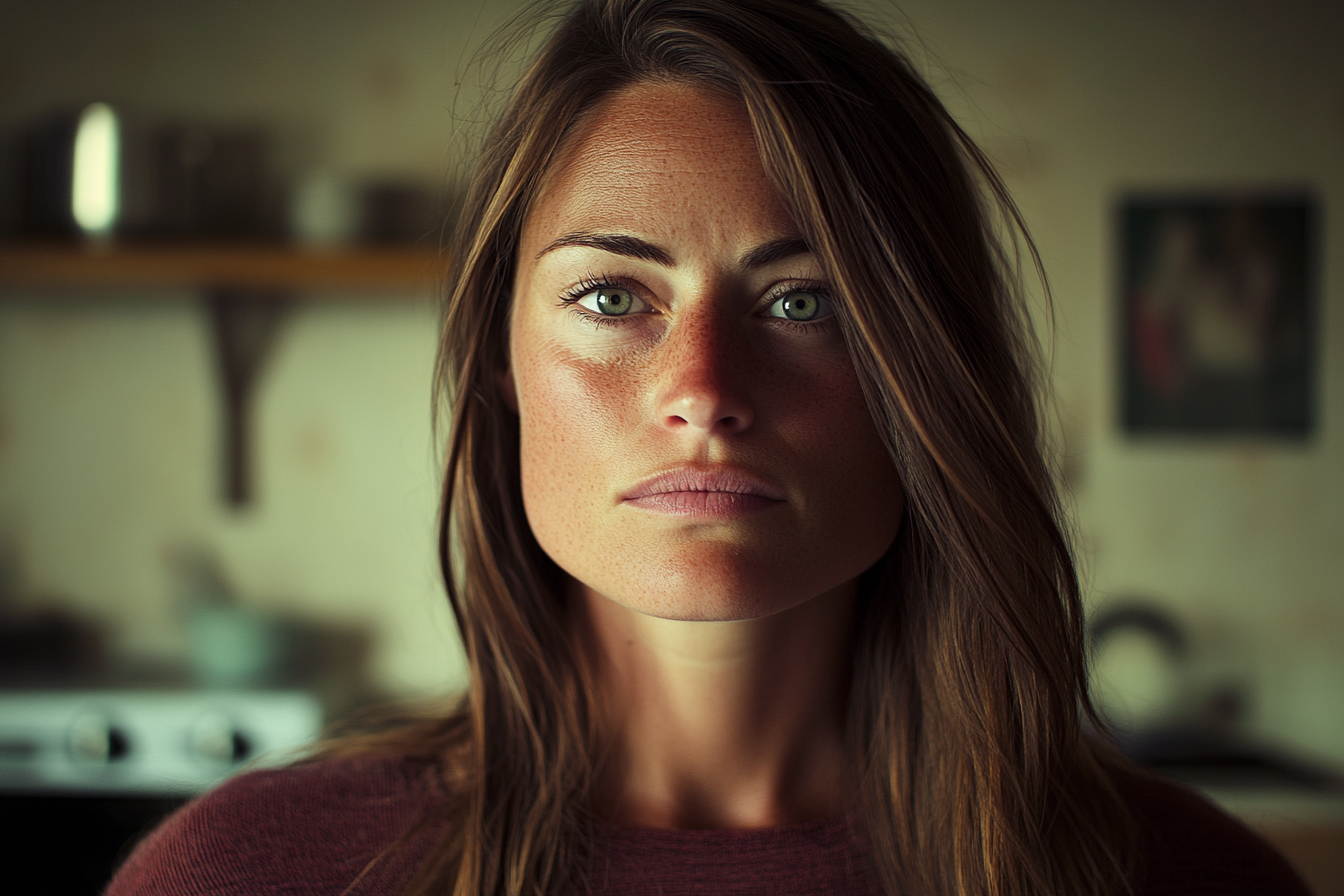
(311, 828)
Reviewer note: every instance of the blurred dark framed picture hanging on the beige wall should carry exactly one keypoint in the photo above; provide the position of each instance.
(1218, 315)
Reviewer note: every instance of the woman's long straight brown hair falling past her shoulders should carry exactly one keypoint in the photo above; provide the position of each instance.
(970, 682)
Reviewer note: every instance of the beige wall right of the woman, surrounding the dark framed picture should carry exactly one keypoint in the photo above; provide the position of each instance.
(1083, 103)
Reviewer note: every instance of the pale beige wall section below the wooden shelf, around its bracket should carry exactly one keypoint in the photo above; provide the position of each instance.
(110, 464)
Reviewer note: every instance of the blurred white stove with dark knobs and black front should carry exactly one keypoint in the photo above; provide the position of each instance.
(85, 774)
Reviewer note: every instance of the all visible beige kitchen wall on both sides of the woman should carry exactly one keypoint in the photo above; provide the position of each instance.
(107, 410)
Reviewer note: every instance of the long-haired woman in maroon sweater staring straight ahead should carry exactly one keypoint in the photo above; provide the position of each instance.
(747, 522)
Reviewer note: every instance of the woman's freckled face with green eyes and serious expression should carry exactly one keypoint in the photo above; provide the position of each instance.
(694, 440)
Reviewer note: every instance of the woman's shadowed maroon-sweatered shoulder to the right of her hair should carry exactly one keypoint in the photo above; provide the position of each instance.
(1193, 848)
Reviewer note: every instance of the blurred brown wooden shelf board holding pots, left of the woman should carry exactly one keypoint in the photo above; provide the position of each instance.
(220, 267)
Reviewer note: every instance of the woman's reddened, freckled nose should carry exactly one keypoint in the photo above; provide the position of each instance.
(701, 381)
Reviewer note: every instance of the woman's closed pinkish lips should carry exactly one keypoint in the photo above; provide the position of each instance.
(705, 492)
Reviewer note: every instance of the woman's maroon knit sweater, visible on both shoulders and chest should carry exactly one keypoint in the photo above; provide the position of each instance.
(318, 828)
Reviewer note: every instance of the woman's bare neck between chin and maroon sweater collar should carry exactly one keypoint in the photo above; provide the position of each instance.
(722, 725)
